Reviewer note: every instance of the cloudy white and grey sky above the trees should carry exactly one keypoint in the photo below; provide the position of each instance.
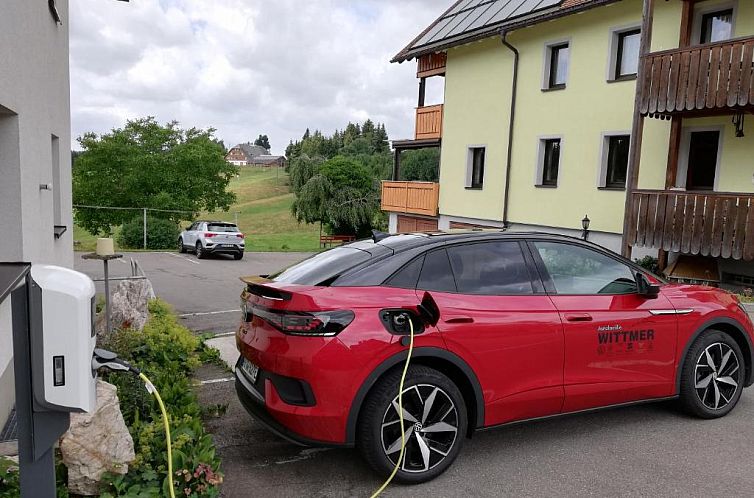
(246, 67)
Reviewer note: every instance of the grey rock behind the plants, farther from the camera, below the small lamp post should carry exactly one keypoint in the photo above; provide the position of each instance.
(129, 303)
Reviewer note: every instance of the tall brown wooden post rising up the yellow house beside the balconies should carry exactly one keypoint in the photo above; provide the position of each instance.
(637, 129)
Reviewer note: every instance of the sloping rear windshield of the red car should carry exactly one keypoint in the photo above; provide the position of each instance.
(322, 268)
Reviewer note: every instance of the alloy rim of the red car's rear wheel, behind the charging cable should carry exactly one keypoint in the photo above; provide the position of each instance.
(431, 428)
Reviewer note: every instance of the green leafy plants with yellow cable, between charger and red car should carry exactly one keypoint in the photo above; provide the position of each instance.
(167, 353)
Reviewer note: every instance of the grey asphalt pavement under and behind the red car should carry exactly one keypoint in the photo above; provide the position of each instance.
(650, 450)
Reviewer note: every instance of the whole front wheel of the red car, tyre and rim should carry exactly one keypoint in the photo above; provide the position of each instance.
(713, 375)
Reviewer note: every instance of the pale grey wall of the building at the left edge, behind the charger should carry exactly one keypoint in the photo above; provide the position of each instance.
(35, 149)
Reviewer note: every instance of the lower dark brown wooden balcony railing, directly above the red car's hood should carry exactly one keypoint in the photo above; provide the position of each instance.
(709, 224)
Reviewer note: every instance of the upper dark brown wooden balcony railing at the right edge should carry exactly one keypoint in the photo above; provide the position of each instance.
(716, 78)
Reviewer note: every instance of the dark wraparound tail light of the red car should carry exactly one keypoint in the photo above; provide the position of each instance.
(316, 324)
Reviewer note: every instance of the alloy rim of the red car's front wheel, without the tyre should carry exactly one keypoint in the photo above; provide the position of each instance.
(717, 376)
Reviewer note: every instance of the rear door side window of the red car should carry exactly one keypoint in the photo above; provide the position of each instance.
(490, 268)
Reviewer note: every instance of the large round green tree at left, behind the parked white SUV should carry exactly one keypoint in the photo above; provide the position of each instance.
(148, 165)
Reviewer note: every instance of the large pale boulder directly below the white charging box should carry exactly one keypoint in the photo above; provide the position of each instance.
(96, 443)
